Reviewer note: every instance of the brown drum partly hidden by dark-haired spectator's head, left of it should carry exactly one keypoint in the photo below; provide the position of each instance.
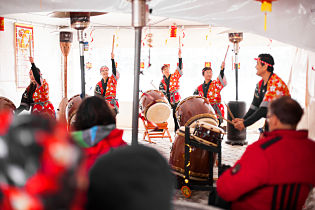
(71, 109)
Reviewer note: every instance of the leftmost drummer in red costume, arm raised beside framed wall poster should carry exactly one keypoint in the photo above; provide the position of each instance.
(36, 95)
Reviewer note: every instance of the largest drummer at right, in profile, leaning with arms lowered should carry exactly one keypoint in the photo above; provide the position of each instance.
(269, 88)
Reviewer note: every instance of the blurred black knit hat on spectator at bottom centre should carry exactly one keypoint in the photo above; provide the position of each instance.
(131, 178)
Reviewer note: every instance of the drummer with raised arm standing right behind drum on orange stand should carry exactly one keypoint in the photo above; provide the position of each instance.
(170, 85)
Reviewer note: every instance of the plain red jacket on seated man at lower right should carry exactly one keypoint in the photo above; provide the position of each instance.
(274, 163)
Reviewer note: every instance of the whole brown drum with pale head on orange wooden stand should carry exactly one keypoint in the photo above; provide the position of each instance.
(154, 106)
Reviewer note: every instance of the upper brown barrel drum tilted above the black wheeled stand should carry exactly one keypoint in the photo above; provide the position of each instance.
(195, 108)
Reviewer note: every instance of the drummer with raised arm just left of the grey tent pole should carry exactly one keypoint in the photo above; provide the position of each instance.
(108, 85)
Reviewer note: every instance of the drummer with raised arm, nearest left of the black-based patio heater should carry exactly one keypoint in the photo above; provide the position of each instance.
(212, 89)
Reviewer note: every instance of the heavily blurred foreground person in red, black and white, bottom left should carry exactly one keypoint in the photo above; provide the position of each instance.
(39, 166)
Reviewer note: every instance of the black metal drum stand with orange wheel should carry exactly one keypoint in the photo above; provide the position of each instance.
(206, 185)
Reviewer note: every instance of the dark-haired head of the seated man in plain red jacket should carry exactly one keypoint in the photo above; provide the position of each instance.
(284, 113)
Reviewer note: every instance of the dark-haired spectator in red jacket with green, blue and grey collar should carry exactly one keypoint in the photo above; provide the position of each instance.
(96, 130)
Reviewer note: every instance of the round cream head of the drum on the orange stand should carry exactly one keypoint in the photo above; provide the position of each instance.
(158, 113)
